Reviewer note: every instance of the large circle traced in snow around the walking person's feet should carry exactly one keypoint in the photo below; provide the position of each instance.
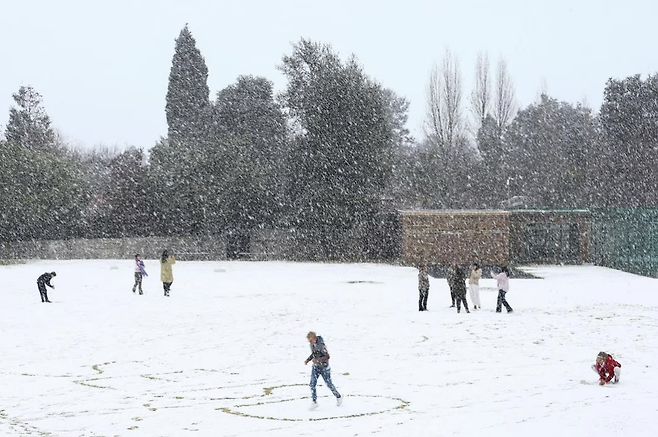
(297, 409)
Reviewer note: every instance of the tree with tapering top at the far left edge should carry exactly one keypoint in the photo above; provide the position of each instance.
(43, 189)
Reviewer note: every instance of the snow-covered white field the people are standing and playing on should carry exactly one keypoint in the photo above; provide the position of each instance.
(223, 356)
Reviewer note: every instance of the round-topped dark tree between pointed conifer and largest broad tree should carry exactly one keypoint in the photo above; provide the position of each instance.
(250, 167)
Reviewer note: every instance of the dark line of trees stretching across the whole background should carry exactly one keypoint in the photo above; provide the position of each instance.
(328, 155)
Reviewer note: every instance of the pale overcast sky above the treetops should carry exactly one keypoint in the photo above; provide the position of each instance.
(102, 67)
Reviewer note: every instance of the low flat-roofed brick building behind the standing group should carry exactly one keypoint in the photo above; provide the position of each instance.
(494, 237)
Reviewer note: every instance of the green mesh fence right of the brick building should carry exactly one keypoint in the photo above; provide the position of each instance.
(625, 239)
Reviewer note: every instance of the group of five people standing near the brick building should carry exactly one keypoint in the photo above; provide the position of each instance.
(456, 276)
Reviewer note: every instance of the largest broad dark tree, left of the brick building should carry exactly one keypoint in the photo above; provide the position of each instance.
(340, 157)
